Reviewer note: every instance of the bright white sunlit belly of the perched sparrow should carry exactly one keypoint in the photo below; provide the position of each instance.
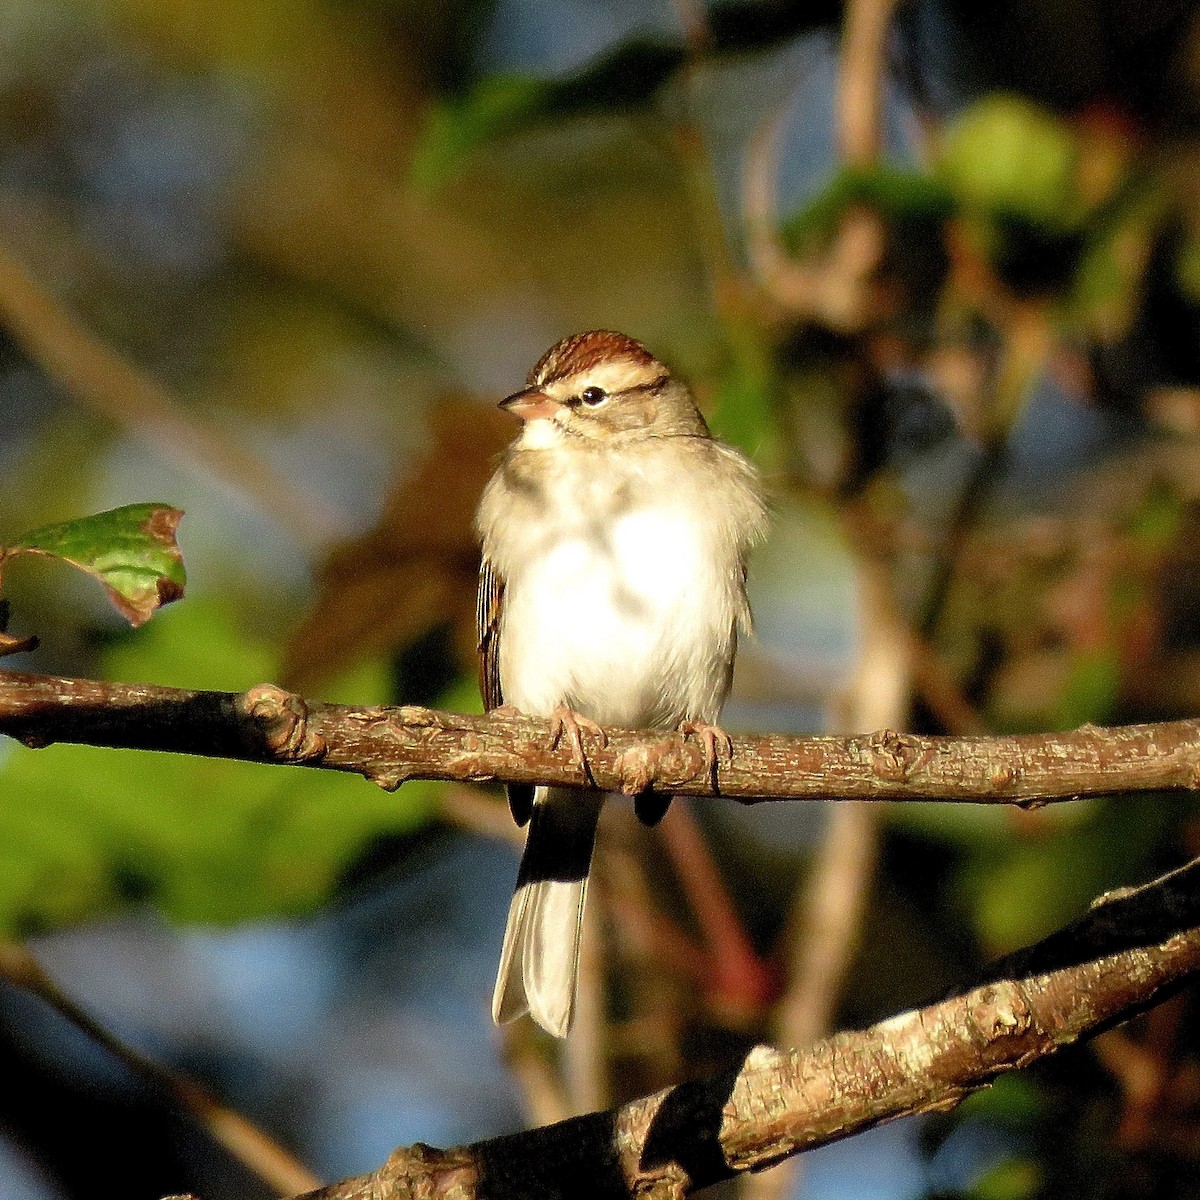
(627, 622)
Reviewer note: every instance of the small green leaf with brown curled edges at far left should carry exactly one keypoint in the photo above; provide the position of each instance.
(133, 551)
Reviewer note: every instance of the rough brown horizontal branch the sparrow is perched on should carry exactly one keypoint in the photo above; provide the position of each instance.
(391, 746)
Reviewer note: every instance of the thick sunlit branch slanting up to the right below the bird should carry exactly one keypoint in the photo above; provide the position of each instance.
(1117, 961)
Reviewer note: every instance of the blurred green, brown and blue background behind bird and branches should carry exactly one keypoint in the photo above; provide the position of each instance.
(935, 265)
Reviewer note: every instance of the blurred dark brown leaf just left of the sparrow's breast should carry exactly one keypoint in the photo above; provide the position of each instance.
(418, 567)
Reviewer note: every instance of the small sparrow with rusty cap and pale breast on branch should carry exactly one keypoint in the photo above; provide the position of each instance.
(615, 537)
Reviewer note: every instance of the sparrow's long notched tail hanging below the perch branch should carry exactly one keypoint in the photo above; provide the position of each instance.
(539, 962)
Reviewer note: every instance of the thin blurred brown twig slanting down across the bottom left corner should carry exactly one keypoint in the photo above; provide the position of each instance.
(249, 1144)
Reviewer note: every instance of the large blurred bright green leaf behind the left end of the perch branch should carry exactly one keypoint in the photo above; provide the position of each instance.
(86, 831)
